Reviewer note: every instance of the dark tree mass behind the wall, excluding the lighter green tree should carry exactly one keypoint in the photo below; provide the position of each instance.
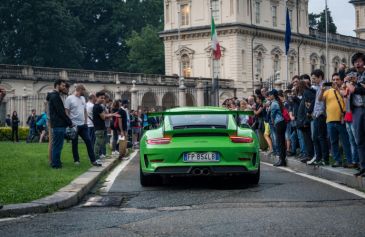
(74, 33)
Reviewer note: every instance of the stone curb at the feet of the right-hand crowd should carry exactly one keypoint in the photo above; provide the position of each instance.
(338, 175)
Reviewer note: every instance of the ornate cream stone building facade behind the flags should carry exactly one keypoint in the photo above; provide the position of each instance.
(251, 34)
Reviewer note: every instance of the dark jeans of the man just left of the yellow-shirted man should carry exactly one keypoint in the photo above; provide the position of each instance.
(319, 137)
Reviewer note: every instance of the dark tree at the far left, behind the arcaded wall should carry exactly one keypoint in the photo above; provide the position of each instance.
(40, 33)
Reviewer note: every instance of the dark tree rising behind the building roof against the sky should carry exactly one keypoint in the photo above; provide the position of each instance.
(318, 22)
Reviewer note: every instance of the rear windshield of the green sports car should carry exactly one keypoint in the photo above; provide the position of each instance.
(199, 121)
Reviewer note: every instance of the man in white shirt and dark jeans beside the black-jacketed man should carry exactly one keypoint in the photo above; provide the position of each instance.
(75, 106)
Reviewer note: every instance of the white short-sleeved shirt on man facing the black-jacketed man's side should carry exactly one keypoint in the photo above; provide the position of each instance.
(76, 107)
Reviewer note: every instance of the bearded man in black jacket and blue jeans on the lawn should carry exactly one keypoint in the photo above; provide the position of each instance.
(58, 121)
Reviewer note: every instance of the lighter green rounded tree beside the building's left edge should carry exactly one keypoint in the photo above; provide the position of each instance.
(146, 51)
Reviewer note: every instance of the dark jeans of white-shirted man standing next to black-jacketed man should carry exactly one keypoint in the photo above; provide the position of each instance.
(82, 131)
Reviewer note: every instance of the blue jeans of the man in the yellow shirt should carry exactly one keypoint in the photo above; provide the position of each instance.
(338, 130)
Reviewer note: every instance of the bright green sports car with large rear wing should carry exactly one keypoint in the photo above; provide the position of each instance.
(199, 141)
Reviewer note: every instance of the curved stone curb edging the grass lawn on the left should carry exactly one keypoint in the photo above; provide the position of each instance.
(65, 197)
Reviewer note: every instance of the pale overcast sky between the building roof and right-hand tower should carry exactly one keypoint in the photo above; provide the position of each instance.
(343, 14)
